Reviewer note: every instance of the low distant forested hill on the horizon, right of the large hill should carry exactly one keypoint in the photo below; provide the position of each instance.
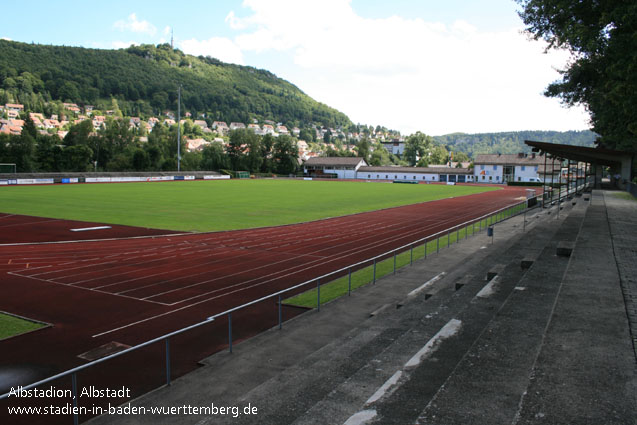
(511, 142)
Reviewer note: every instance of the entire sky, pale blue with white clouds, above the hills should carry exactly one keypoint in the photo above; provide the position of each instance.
(410, 65)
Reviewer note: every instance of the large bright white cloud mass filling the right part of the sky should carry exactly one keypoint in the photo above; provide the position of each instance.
(407, 73)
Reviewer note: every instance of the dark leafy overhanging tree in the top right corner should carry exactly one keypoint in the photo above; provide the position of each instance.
(601, 35)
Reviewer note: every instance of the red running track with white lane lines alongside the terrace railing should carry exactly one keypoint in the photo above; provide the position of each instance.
(133, 290)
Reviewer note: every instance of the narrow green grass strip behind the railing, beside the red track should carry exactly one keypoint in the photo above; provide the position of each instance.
(340, 287)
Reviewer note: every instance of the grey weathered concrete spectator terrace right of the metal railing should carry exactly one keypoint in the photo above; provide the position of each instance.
(547, 344)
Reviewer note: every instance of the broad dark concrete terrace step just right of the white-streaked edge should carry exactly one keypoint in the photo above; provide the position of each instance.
(495, 370)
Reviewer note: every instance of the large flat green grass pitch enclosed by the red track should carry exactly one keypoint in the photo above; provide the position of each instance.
(217, 205)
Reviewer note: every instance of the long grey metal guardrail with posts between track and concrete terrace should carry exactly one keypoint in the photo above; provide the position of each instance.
(444, 236)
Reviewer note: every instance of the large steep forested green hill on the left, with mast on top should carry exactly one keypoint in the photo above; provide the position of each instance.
(144, 80)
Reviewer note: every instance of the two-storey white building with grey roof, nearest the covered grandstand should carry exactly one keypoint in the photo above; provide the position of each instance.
(499, 168)
